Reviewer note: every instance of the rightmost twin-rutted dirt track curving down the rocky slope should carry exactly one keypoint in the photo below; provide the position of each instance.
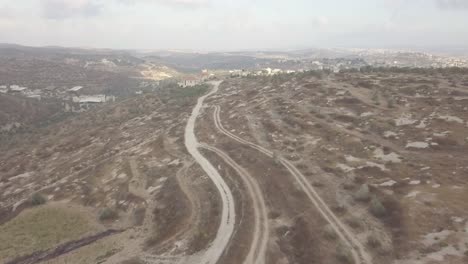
(358, 251)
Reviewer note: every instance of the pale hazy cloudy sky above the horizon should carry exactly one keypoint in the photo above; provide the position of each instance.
(222, 25)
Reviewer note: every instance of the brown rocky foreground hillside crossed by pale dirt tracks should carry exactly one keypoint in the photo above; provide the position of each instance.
(314, 167)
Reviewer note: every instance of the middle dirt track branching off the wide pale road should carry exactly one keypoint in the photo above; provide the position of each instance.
(258, 247)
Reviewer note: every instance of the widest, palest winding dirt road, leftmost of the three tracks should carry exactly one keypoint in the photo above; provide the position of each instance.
(228, 216)
